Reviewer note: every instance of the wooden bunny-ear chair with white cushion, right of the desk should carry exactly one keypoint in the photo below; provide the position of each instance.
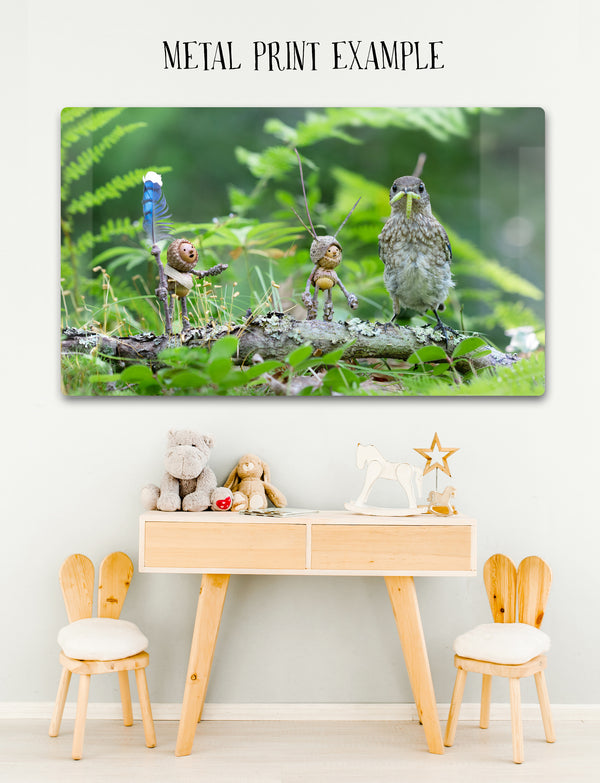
(507, 648)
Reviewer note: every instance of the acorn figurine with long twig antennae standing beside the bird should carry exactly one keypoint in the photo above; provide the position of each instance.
(326, 255)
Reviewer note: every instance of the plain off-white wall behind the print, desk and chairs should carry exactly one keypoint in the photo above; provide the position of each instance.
(526, 469)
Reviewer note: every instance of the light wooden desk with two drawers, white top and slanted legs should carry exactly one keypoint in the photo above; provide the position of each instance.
(320, 543)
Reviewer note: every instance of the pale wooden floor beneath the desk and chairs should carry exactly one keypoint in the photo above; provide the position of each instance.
(297, 752)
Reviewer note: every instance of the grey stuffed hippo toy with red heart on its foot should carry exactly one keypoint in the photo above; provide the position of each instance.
(188, 483)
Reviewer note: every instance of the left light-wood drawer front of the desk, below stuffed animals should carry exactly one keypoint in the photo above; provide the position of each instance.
(223, 545)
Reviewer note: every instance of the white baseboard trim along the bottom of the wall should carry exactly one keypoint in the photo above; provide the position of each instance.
(314, 712)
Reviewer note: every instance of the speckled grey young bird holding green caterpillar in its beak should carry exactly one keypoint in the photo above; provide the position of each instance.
(415, 250)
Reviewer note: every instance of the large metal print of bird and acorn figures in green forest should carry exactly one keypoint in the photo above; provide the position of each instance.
(371, 252)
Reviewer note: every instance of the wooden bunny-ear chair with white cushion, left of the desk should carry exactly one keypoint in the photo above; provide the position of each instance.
(100, 644)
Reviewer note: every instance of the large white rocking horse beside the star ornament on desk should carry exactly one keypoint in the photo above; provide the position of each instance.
(403, 473)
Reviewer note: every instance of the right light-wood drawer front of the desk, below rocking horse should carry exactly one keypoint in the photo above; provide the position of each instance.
(391, 548)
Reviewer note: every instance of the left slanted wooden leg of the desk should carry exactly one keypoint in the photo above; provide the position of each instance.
(206, 628)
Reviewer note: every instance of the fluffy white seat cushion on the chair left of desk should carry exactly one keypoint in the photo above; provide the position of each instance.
(101, 639)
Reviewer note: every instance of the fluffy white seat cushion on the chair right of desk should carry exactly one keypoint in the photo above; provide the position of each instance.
(502, 643)
